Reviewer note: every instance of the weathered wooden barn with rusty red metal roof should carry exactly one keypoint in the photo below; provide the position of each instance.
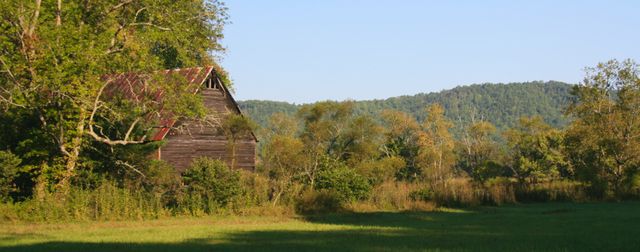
(186, 141)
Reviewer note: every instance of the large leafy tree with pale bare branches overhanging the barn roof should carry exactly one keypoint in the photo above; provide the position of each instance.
(56, 56)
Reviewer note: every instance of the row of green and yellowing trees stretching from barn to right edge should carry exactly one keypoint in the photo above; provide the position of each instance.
(330, 146)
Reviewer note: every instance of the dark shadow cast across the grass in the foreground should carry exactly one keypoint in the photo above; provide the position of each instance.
(507, 229)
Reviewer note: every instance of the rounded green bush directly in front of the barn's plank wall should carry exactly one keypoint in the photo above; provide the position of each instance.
(209, 184)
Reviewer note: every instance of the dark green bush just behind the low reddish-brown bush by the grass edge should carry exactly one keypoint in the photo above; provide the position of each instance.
(349, 185)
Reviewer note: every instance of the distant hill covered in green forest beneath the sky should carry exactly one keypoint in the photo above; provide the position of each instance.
(501, 104)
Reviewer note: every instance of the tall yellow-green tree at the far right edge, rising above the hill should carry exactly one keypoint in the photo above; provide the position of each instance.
(604, 139)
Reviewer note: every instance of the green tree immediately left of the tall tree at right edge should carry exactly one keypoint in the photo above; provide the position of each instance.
(536, 151)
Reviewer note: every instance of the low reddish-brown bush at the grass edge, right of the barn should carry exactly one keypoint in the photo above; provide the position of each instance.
(317, 202)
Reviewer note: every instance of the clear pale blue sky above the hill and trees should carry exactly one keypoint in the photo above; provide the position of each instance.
(304, 51)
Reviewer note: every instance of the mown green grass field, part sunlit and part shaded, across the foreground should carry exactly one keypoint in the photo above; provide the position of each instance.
(539, 227)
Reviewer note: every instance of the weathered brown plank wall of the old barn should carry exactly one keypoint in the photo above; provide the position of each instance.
(197, 140)
